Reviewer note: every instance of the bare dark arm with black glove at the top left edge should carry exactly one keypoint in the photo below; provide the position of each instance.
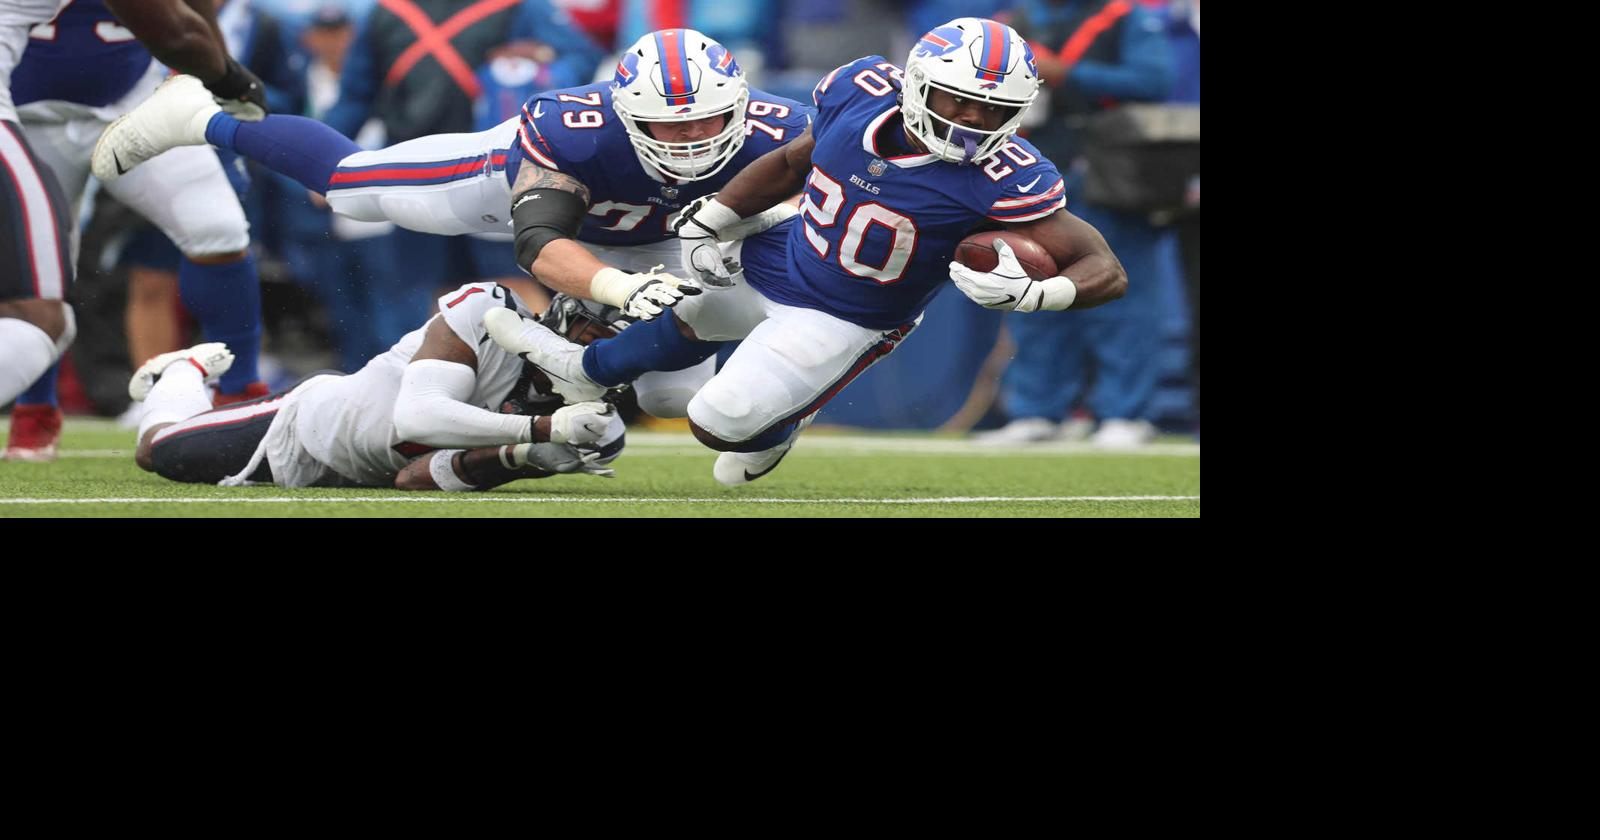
(185, 36)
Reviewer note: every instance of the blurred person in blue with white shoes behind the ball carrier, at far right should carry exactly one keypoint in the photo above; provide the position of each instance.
(1092, 55)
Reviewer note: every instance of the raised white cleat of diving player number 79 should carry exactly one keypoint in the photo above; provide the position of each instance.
(174, 116)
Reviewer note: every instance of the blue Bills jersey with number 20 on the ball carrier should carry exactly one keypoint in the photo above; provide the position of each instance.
(878, 231)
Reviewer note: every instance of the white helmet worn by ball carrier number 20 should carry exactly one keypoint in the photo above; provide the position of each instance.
(974, 58)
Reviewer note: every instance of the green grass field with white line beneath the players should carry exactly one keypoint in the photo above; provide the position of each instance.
(830, 474)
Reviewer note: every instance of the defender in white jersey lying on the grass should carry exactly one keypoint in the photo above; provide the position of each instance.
(426, 415)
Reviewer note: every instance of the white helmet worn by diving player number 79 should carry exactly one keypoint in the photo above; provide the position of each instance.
(676, 76)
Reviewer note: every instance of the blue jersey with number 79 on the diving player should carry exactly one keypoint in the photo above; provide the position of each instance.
(577, 132)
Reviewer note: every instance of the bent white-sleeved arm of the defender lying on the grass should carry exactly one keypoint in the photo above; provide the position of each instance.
(433, 406)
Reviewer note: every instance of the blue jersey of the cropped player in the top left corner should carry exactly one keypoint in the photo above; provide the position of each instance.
(82, 57)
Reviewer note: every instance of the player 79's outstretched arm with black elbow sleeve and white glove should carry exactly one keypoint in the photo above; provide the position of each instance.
(548, 209)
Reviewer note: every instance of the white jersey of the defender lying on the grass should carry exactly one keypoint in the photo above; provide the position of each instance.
(346, 423)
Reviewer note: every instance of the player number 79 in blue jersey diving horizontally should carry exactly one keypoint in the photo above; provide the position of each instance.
(585, 183)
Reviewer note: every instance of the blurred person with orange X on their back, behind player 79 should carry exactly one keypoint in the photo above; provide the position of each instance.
(418, 86)
